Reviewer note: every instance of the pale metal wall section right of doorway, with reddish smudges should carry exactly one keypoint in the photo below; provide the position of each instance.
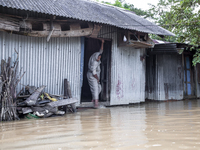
(127, 71)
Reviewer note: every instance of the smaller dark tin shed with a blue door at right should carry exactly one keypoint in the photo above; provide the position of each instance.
(170, 74)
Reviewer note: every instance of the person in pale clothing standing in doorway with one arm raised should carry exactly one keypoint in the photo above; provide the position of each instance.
(93, 75)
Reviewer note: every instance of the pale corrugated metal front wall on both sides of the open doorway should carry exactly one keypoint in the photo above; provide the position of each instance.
(48, 63)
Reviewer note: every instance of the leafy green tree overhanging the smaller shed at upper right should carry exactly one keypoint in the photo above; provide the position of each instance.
(181, 17)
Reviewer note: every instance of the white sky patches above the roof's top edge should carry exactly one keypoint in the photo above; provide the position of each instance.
(143, 4)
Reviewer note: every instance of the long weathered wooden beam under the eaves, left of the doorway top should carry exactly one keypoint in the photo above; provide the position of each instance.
(13, 24)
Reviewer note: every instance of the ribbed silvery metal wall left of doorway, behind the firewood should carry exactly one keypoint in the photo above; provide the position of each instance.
(45, 63)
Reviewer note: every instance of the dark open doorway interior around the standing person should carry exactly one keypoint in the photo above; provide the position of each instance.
(92, 46)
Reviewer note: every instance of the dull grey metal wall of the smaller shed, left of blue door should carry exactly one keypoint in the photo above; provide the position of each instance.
(164, 79)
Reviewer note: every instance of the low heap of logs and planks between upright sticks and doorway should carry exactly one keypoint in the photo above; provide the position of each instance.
(41, 104)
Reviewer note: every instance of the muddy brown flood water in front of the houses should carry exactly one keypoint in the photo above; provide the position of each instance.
(164, 125)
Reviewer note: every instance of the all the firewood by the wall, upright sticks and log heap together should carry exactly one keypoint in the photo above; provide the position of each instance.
(30, 101)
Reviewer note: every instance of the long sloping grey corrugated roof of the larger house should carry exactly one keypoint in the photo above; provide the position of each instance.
(88, 11)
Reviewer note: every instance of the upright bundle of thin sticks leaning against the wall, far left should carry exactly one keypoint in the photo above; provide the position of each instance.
(8, 84)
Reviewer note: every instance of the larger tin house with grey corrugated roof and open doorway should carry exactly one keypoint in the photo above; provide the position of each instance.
(56, 38)
